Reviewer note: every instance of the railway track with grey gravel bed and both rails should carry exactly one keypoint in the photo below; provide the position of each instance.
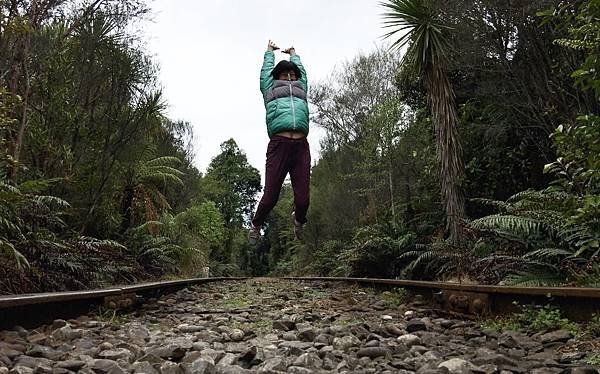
(297, 325)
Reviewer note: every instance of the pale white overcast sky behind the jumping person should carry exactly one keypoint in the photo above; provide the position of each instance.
(210, 53)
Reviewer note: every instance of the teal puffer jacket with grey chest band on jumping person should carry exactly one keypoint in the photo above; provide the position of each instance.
(285, 101)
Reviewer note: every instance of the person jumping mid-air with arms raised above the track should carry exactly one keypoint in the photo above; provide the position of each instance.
(284, 89)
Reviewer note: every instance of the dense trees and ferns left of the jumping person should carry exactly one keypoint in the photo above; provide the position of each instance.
(97, 185)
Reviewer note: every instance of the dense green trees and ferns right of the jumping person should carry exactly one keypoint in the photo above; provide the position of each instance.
(526, 95)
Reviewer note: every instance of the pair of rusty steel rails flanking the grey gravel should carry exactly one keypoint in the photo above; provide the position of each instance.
(461, 299)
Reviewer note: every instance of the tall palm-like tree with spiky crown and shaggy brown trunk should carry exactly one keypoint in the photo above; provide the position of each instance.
(421, 27)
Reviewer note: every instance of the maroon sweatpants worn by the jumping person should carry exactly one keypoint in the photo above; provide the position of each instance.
(285, 156)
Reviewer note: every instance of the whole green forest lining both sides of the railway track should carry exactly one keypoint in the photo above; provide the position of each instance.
(465, 148)
